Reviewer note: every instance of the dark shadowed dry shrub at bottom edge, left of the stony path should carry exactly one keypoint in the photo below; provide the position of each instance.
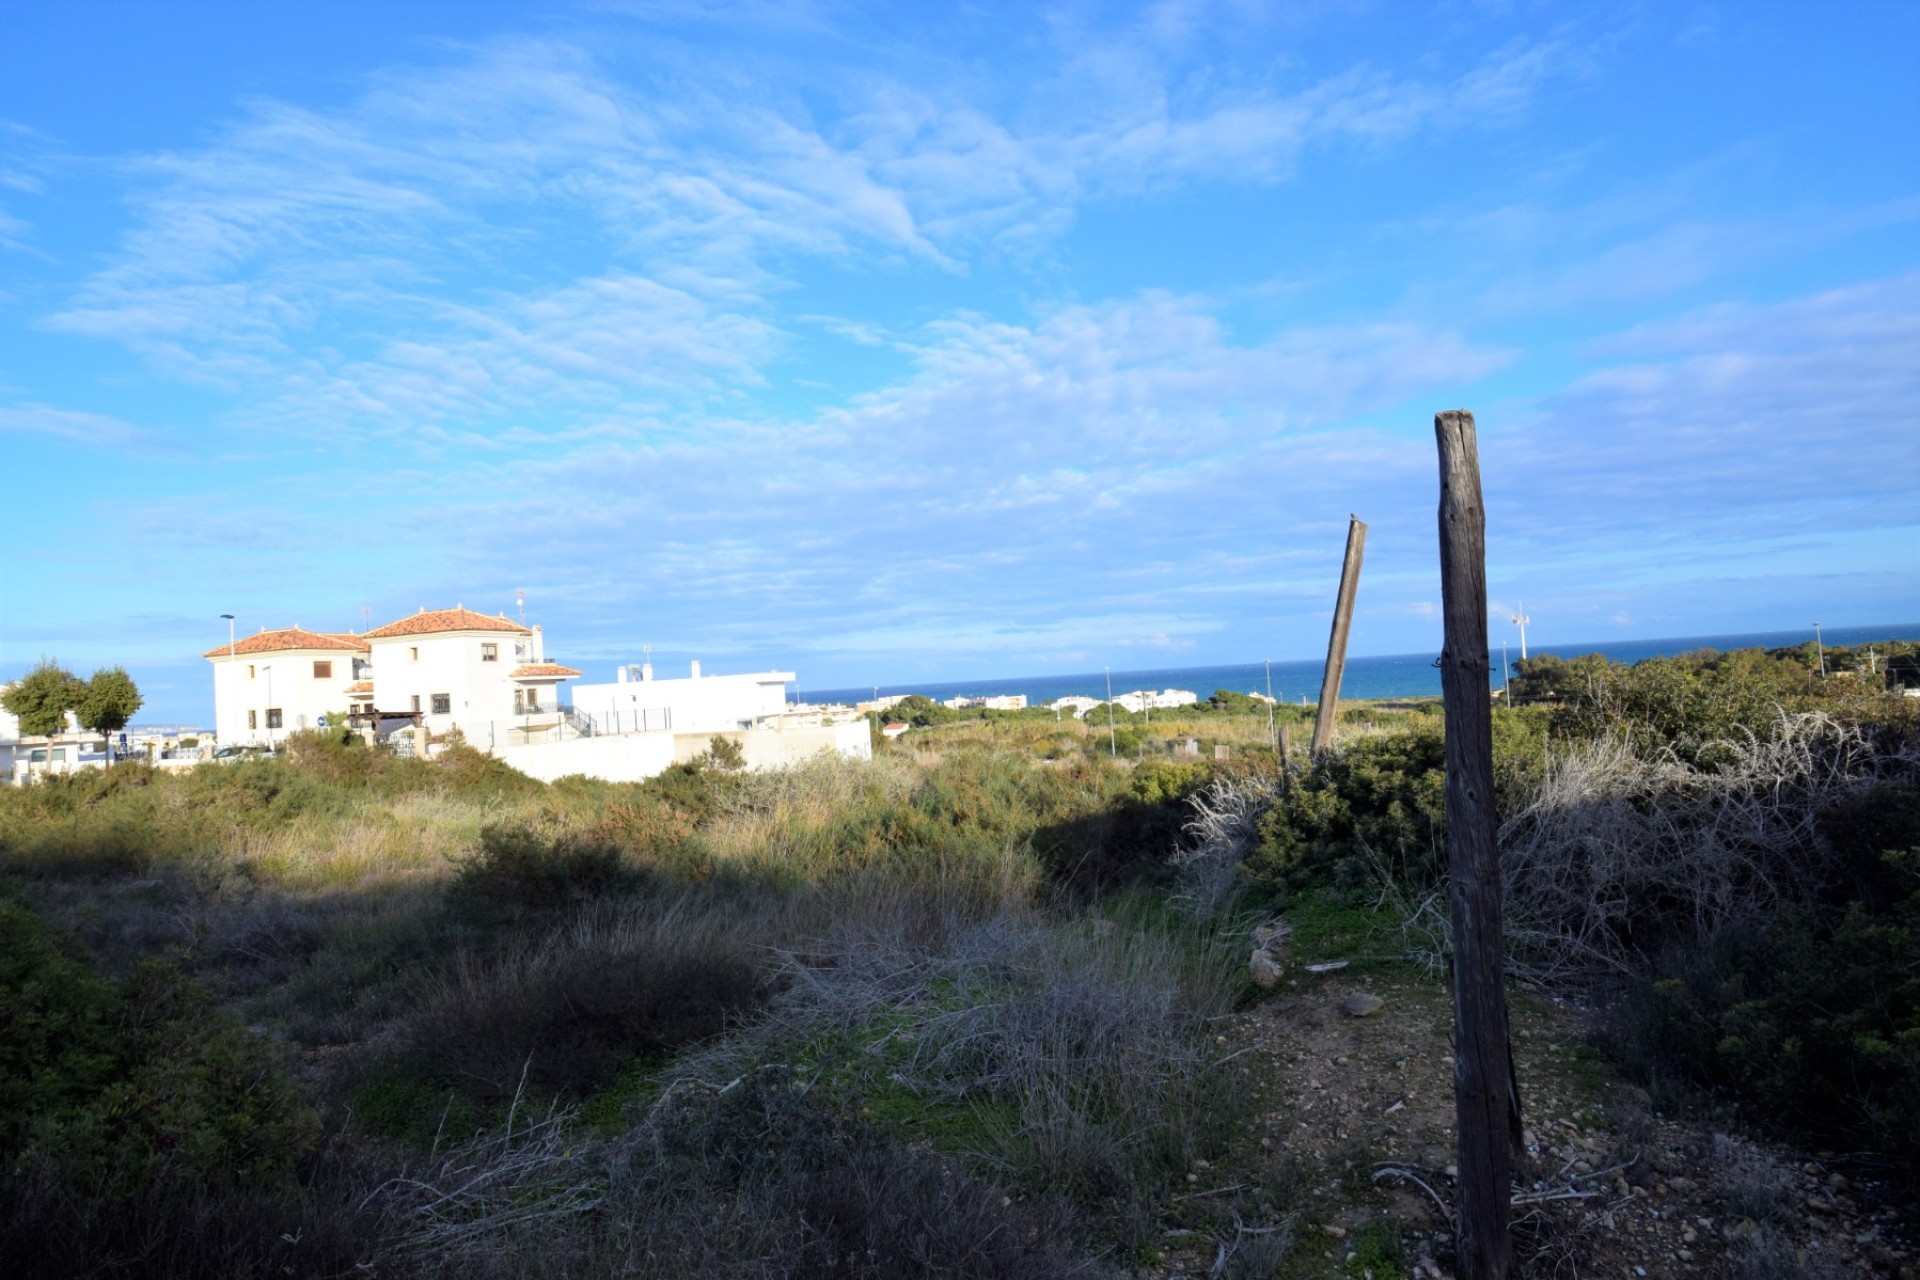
(759, 1177)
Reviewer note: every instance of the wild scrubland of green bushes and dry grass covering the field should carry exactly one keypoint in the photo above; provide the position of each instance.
(951, 1012)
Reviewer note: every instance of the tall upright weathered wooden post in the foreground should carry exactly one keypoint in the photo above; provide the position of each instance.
(1485, 1095)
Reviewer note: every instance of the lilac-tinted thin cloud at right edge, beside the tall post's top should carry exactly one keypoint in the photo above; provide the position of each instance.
(1735, 421)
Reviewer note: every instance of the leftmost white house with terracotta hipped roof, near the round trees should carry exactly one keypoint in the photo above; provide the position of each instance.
(272, 684)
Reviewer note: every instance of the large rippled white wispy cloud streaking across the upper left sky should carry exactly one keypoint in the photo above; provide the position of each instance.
(387, 258)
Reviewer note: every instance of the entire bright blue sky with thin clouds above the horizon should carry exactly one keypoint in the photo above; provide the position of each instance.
(932, 343)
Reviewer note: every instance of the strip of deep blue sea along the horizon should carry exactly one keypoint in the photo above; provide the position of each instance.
(1391, 676)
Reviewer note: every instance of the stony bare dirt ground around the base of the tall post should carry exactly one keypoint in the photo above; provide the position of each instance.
(1355, 1074)
